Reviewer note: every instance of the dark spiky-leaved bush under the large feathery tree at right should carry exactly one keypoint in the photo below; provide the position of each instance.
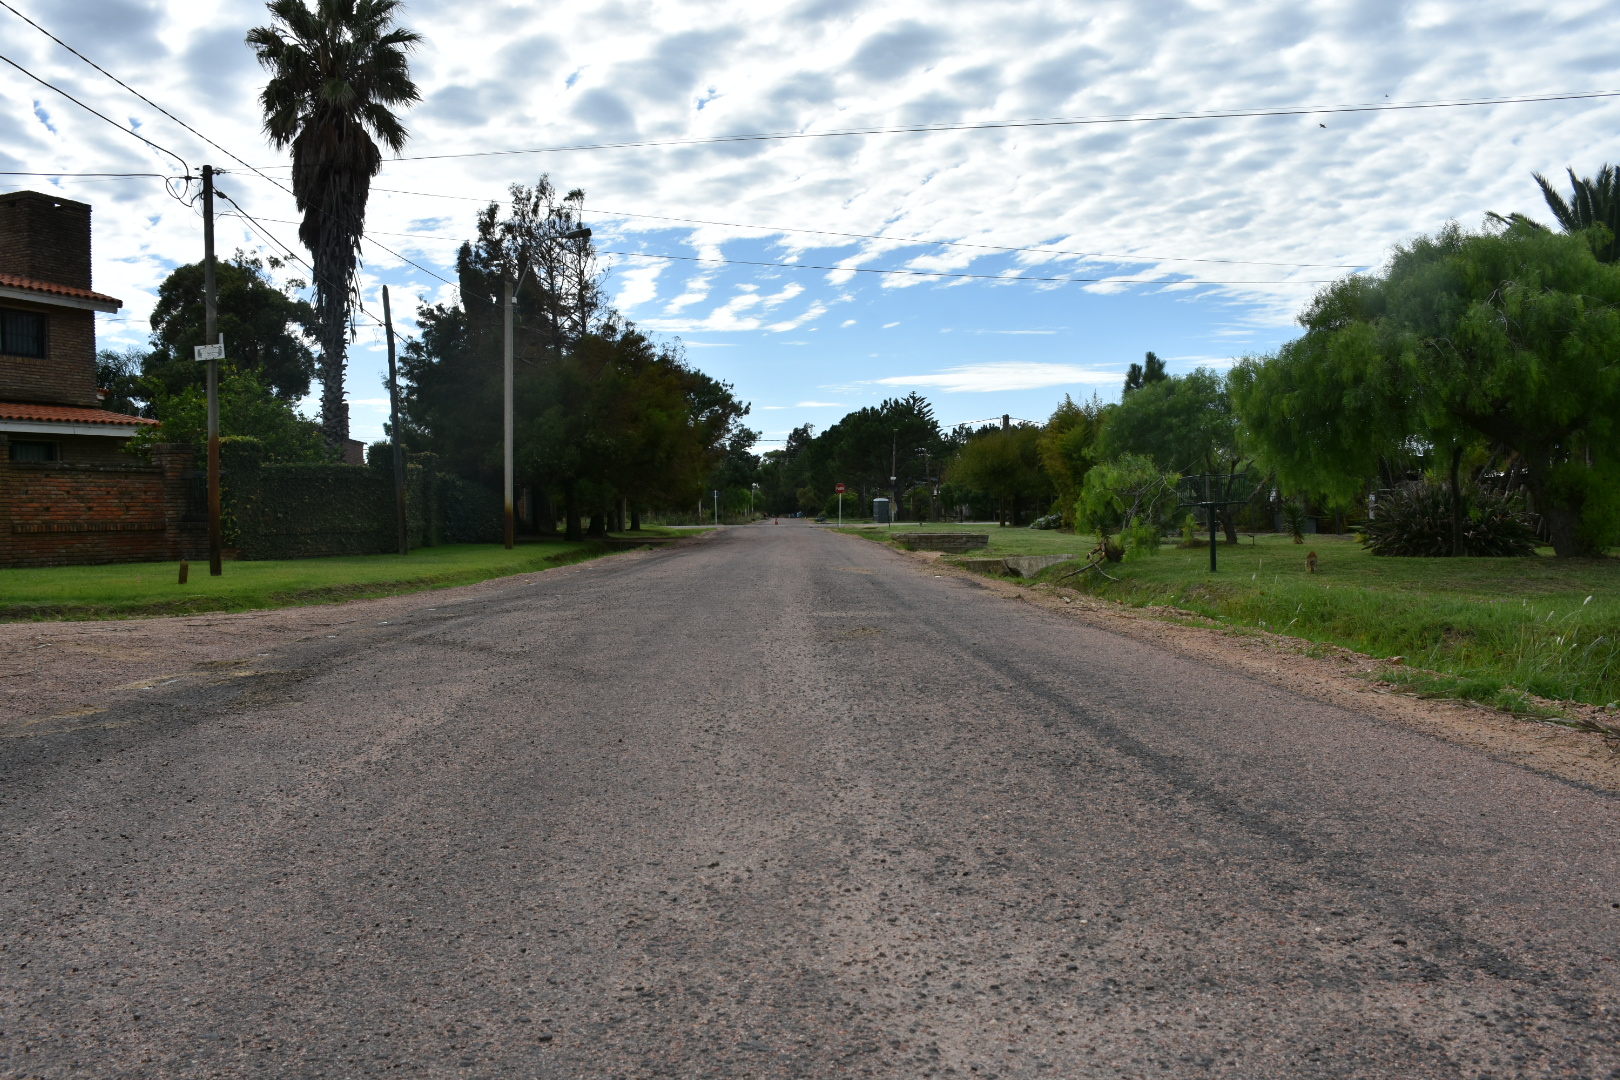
(1417, 521)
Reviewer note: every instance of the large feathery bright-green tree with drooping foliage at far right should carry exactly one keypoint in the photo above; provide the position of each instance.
(1506, 339)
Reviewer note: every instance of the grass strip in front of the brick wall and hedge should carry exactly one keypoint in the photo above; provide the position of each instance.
(151, 589)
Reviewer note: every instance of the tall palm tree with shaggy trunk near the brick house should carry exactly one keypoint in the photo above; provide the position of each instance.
(338, 72)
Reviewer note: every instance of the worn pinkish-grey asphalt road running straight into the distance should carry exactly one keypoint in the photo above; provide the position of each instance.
(783, 804)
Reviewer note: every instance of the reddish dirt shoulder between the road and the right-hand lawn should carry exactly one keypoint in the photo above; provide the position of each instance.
(1328, 674)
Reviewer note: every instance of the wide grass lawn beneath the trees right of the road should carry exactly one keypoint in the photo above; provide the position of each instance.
(1491, 627)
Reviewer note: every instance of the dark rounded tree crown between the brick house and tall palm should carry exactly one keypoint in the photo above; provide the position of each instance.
(266, 328)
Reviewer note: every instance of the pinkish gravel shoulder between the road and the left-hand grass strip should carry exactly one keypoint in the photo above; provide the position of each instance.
(56, 670)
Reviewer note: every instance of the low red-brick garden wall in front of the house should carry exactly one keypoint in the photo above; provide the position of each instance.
(75, 514)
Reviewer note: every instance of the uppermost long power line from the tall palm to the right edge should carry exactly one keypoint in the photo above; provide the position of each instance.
(1051, 122)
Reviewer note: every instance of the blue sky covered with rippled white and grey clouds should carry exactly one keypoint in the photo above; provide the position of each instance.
(1196, 239)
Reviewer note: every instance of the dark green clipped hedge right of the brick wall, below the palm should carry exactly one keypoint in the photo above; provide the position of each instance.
(304, 511)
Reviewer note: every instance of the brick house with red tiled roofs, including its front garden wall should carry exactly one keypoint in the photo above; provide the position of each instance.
(69, 493)
